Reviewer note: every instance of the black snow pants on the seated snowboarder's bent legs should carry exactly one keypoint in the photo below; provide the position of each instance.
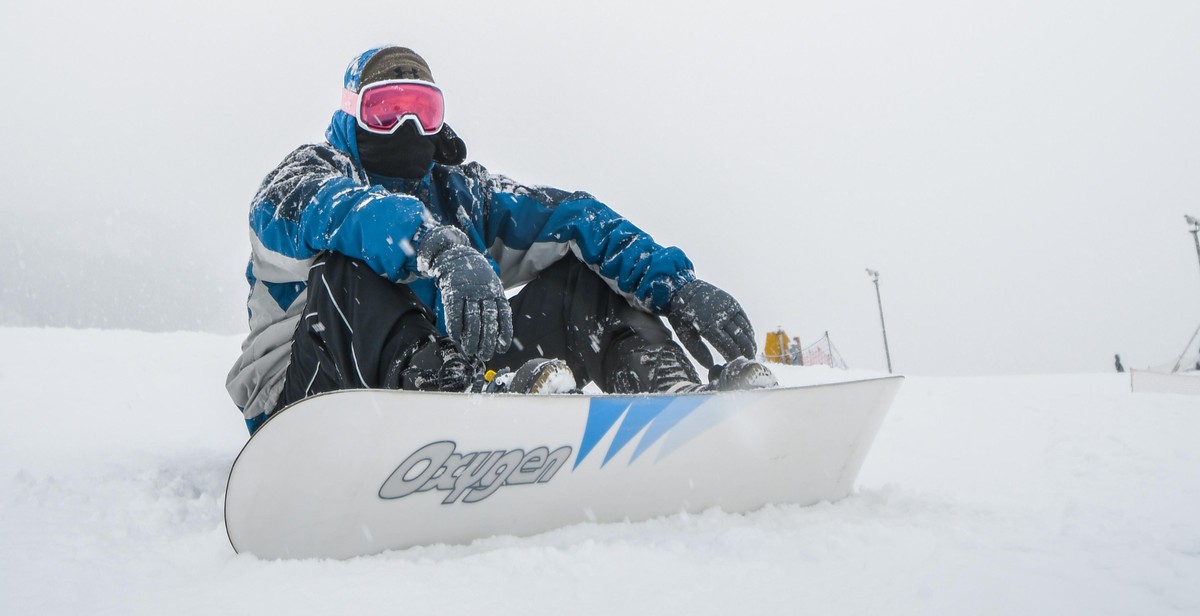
(359, 330)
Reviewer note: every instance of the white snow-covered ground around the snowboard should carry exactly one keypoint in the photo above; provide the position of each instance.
(1001, 495)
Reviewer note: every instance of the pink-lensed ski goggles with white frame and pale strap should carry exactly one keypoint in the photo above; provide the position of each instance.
(381, 107)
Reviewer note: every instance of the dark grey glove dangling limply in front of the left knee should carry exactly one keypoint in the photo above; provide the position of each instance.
(477, 313)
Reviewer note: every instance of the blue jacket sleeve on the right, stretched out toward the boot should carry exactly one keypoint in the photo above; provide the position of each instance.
(531, 228)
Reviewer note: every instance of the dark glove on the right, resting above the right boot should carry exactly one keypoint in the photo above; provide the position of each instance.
(700, 309)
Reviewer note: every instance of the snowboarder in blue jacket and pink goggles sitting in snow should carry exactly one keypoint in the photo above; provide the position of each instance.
(380, 260)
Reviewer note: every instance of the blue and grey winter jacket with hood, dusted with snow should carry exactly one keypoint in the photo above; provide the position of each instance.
(321, 199)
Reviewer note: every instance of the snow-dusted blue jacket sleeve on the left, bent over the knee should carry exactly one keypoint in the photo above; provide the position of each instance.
(316, 202)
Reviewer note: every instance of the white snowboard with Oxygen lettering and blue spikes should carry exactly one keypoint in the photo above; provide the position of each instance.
(359, 473)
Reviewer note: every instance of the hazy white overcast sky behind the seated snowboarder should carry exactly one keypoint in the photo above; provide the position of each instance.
(1017, 171)
